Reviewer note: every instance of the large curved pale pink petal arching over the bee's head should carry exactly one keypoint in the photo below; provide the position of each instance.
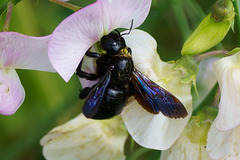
(77, 33)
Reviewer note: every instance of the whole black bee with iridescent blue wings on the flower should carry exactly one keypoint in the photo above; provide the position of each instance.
(119, 80)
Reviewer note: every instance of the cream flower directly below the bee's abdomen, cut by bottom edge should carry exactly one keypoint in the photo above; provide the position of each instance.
(86, 139)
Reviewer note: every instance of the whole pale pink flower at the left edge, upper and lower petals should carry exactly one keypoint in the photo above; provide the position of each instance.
(18, 51)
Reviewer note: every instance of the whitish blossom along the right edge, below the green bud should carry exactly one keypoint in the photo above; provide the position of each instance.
(223, 137)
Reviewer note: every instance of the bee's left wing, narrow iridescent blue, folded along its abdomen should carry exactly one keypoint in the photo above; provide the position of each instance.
(95, 96)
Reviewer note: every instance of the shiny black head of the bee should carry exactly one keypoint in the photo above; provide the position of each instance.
(112, 43)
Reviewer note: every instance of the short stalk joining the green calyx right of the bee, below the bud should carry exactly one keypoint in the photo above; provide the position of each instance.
(203, 56)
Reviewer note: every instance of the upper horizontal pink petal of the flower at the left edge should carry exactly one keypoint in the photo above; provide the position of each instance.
(24, 52)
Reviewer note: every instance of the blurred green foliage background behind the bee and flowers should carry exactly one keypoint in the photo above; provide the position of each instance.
(50, 101)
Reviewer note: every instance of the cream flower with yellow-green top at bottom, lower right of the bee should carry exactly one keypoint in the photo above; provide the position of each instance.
(189, 146)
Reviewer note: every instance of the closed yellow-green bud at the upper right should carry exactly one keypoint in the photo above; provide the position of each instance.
(211, 30)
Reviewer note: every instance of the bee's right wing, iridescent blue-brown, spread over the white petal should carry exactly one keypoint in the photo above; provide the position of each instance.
(156, 99)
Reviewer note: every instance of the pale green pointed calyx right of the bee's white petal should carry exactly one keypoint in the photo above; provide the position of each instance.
(189, 68)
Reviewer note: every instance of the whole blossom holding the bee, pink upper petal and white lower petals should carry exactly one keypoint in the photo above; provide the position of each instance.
(80, 31)
